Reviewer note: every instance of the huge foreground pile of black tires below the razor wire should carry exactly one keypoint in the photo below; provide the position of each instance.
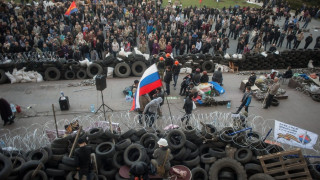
(205, 152)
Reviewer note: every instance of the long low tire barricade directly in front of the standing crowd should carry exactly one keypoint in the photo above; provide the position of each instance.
(52, 67)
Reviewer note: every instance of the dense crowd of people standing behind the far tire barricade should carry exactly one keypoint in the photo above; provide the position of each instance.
(101, 27)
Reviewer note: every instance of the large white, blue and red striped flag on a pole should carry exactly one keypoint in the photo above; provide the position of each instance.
(149, 81)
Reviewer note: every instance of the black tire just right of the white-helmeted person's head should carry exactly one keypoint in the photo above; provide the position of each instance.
(176, 139)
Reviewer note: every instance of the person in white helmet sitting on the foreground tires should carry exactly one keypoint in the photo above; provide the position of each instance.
(162, 157)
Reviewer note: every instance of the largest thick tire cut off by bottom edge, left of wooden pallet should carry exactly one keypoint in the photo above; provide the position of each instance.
(227, 163)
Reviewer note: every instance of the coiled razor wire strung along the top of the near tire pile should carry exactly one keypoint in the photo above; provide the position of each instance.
(35, 137)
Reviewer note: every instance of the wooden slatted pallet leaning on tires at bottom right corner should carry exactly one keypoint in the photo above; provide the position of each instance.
(286, 165)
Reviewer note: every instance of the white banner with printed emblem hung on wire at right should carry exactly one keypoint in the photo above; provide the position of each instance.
(292, 135)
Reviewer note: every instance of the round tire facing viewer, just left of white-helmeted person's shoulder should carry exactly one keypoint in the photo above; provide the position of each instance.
(127, 154)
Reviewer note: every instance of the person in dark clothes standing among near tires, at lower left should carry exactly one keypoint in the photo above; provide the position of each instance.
(83, 159)
